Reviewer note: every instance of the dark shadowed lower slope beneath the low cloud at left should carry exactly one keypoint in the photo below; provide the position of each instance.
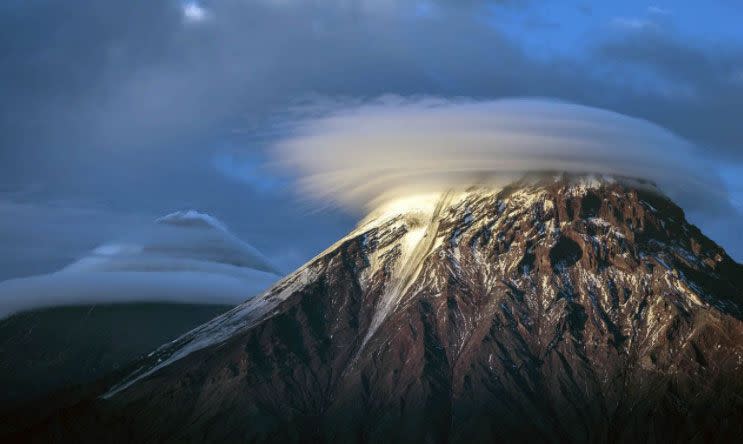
(49, 349)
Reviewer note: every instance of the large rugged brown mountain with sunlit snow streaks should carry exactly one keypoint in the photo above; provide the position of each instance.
(554, 310)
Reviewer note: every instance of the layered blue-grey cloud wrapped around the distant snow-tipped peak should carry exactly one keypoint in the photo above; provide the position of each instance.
(185, 257)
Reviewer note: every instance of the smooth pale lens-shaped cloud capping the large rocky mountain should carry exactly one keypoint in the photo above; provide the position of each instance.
(356, 156)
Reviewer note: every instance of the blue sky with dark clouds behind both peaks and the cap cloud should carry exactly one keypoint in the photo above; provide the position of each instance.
(114, 113)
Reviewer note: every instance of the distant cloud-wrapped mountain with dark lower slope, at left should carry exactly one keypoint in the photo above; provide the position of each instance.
(121, 301)
